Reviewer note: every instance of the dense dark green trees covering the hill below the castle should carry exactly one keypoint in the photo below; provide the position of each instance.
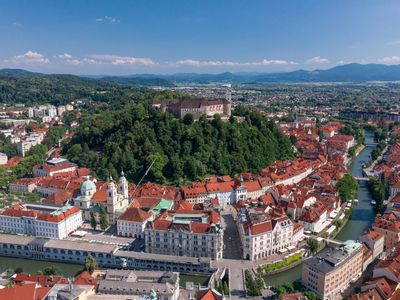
(133, 138)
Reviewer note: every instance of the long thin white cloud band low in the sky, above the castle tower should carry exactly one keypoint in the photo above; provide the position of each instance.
(219, 63)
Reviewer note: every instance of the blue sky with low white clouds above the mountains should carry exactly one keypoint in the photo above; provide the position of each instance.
(168, 36)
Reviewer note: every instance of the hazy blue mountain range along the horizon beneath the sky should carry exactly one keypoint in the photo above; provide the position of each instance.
(345, 73)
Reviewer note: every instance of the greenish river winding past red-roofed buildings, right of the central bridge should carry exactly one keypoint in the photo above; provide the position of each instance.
(361, 218)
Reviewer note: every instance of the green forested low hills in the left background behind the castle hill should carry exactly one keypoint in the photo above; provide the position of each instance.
(35, 88)
